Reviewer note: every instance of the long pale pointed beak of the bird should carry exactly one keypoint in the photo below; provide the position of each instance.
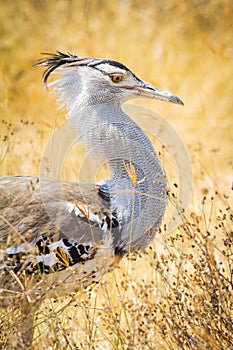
(150, 91)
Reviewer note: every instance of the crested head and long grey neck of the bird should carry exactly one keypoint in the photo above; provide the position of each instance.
(109, 133)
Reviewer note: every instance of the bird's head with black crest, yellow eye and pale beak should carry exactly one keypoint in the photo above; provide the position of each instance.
(100, 79)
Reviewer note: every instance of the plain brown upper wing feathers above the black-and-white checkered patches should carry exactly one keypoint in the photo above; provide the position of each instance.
(31, 207)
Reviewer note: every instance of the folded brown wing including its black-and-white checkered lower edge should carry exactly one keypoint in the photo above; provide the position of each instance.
(53, 217)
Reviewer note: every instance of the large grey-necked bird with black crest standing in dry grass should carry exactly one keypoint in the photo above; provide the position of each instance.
(58, 236)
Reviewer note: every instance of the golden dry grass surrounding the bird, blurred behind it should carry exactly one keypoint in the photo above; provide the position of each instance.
(178, 294)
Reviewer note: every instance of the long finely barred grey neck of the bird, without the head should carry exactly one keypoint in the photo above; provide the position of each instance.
(138, 184)
